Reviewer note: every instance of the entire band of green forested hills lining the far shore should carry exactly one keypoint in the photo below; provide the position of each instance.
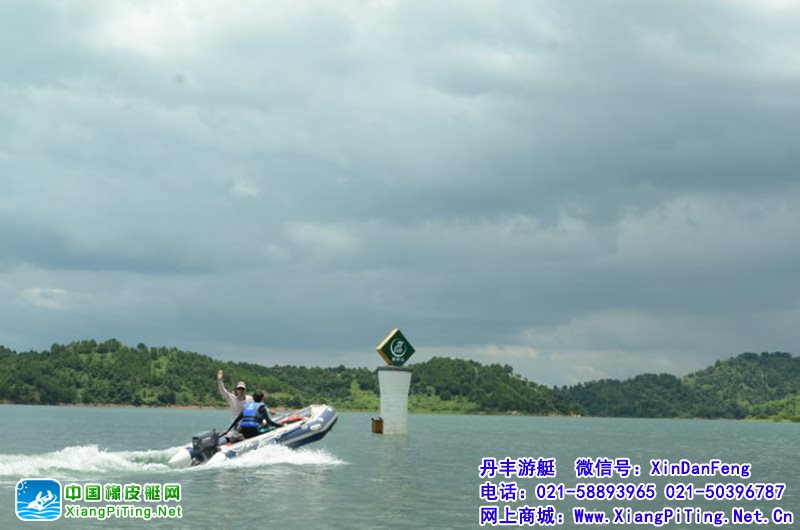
(749, 385)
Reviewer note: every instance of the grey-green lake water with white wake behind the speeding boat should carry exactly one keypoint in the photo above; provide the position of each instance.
(356, 479)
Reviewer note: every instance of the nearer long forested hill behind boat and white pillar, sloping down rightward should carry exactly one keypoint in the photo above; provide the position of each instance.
(110, 372)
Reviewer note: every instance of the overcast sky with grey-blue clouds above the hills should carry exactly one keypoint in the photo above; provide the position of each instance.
(577, 189)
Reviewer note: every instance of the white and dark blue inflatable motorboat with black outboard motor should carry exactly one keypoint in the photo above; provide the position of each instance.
(299, 428)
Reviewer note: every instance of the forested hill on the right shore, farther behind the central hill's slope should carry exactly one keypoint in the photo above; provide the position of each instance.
(749, 385)
